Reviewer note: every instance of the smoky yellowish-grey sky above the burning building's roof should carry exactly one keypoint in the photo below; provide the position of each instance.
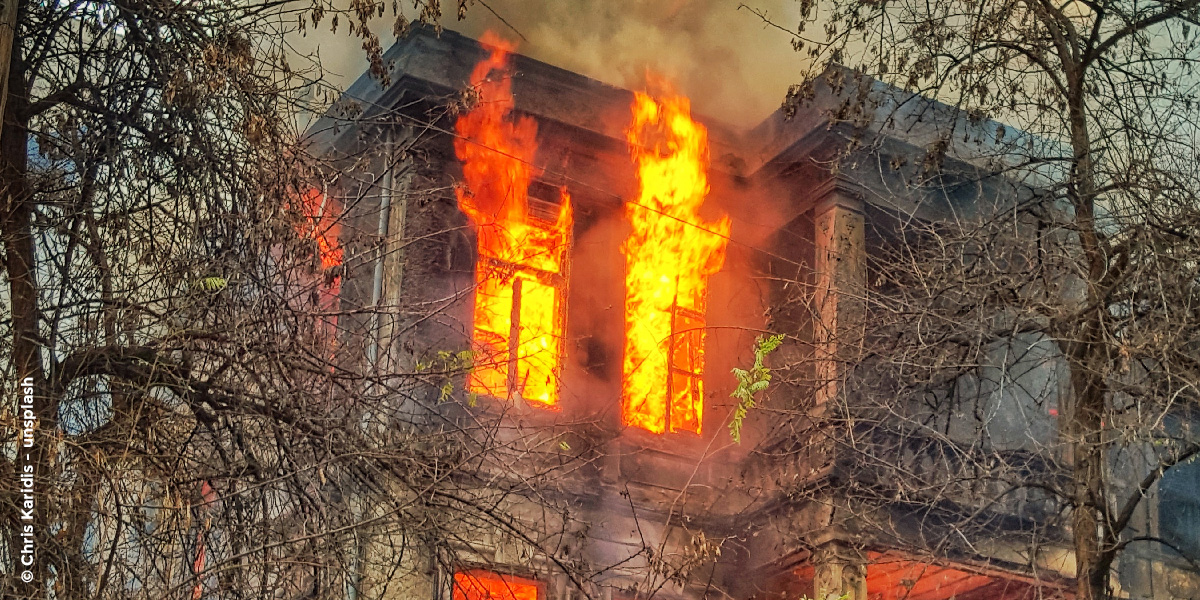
(734, 67)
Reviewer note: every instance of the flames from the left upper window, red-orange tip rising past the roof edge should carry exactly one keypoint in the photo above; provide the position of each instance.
(520, 278)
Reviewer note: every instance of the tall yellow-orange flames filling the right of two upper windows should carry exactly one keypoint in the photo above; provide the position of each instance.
(669, 257)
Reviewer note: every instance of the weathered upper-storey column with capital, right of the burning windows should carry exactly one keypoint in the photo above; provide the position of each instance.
(841, 285)
